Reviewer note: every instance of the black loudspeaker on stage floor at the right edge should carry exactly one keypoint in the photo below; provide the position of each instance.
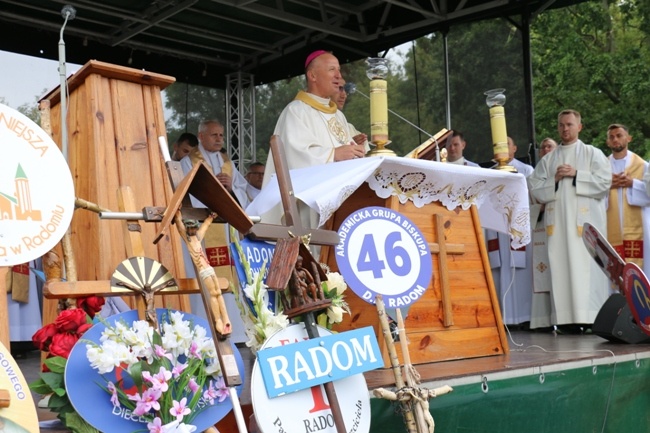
(615, 322)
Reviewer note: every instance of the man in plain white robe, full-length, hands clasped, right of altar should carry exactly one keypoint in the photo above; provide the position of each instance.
(573, 181)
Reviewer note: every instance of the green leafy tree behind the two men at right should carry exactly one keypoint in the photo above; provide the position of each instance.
(594, 57)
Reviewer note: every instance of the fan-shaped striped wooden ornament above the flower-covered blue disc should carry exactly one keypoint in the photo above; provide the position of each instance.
(142, 273)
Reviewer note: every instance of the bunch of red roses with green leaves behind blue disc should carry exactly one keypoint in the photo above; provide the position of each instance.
(58, 339)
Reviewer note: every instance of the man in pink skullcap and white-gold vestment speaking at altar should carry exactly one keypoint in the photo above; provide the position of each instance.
(311, 128)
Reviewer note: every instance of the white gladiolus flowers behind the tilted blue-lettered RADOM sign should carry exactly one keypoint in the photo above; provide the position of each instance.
(253, 302)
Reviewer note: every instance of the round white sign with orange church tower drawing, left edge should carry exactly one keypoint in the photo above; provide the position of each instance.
(36, 190)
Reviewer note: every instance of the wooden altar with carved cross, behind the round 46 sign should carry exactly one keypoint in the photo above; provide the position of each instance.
(458, 316)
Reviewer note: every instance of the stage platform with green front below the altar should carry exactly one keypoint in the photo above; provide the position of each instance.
(548, 383)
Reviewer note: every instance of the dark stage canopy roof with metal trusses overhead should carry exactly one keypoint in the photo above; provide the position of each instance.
(200, 41)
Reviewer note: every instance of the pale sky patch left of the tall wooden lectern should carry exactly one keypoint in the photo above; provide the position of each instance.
(23, 79)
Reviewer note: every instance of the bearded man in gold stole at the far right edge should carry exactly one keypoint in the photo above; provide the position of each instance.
(627, 211)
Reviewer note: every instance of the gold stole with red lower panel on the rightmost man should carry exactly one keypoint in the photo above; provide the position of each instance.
(629, 244)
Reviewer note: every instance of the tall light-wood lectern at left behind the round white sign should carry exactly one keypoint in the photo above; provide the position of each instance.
(115, 117)
